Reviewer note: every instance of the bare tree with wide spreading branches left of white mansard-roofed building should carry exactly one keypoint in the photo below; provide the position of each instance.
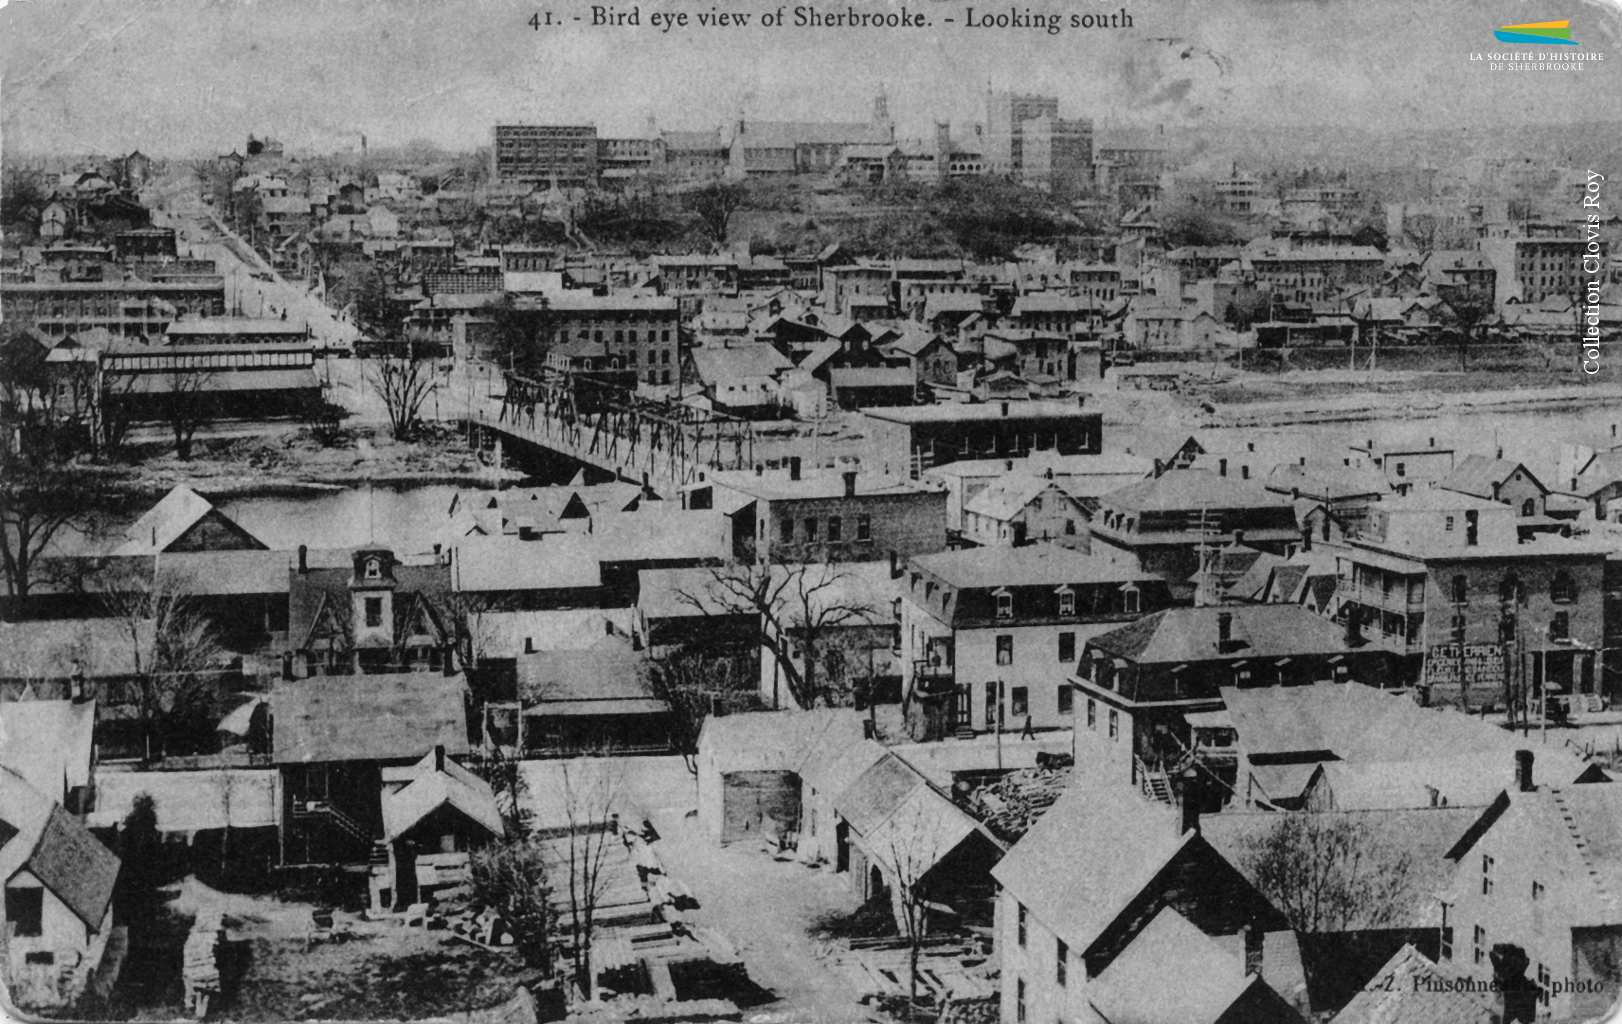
(800, 609)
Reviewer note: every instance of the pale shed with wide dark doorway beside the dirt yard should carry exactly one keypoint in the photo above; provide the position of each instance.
(749, 768)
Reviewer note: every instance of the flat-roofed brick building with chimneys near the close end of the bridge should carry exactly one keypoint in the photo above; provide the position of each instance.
(823, 517)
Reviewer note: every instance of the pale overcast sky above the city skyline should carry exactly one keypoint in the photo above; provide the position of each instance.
(179, 77)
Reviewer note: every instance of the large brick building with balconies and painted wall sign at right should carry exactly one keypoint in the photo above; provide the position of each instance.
(1475, 609)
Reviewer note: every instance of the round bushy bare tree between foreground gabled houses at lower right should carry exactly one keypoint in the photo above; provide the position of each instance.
(1332, 872)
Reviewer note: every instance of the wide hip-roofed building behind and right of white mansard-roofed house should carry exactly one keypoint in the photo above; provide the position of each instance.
(1165, 525)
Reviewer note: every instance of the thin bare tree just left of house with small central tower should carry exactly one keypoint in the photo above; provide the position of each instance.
(174, 650)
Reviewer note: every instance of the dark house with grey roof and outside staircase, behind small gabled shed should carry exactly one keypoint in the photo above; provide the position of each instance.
(333, 739)
